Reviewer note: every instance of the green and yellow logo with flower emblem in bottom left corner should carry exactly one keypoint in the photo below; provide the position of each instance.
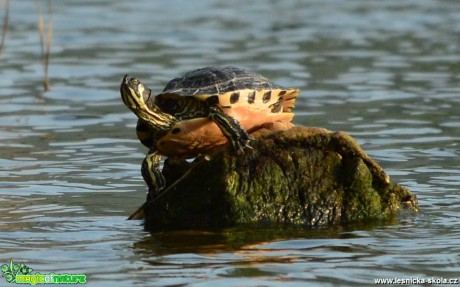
(21, 274)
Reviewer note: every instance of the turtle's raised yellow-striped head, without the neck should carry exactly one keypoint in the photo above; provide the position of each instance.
(134, 94)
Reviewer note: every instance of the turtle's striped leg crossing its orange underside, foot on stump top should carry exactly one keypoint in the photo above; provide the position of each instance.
(231, 128)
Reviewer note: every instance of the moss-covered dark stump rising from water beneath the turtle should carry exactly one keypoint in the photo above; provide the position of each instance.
(302, 176)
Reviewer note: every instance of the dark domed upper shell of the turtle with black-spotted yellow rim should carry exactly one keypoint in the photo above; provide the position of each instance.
(188, 96)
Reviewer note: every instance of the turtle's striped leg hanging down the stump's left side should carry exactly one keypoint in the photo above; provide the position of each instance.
(152, 174)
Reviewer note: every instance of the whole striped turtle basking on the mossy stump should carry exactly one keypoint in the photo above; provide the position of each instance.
(200, 110)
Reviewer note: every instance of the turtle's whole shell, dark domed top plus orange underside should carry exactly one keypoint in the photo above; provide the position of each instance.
(249, 98)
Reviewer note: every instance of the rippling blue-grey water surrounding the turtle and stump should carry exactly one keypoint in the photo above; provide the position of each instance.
(385, 71)
